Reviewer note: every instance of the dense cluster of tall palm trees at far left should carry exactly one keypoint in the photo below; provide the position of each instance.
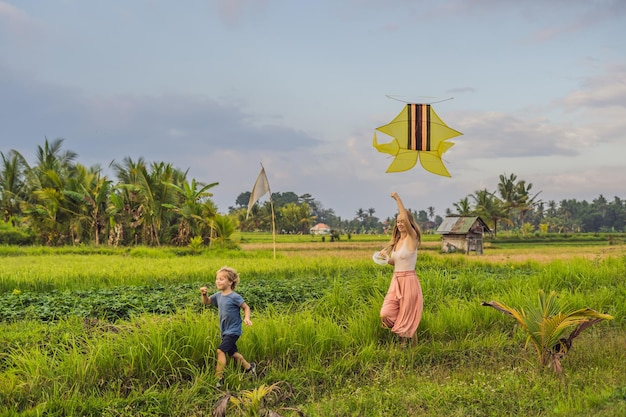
(57, 201)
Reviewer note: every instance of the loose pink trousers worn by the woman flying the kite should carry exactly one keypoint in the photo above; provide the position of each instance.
(403, 304)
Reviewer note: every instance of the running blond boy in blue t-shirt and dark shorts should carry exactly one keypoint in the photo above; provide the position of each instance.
(229, 303)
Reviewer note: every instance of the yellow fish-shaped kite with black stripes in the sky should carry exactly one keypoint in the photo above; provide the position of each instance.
(418, 133)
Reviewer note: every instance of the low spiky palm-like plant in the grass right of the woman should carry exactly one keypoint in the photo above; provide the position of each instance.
(546, 324)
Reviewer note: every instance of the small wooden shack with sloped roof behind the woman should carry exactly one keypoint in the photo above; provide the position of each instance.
(462, 234)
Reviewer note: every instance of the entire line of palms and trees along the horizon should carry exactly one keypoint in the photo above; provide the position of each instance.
(58, 201)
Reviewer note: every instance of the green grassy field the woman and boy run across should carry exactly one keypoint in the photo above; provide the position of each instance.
(103, 332)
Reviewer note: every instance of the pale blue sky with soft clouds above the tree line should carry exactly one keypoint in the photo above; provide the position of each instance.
(218, 87)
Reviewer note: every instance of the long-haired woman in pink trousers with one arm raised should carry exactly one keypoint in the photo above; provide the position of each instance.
(402, 308)
